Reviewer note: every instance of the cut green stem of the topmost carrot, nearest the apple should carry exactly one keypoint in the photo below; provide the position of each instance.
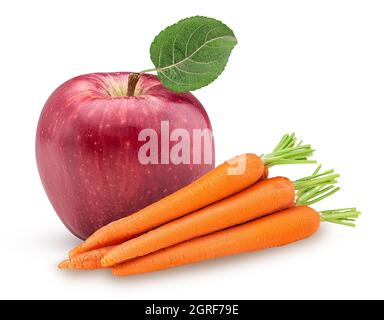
(288, 151)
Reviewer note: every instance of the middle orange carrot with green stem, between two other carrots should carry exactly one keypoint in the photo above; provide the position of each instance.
(260, 199)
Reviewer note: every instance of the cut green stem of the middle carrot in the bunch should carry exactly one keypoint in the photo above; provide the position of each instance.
(315, 187)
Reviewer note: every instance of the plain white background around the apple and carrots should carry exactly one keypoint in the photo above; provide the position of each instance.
(313, 67)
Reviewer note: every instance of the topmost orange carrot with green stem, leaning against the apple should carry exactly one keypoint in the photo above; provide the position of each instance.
(228, 178)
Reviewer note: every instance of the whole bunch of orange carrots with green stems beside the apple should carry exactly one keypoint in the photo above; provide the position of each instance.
(234, 208)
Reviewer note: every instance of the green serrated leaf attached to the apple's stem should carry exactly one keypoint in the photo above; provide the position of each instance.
(192, 53)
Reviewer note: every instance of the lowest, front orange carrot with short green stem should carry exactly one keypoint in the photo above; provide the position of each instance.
(277, 229)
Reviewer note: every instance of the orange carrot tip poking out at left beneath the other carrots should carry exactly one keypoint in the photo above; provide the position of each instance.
(86, 261)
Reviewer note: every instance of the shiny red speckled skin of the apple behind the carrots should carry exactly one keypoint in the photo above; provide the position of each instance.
(87, 148)
